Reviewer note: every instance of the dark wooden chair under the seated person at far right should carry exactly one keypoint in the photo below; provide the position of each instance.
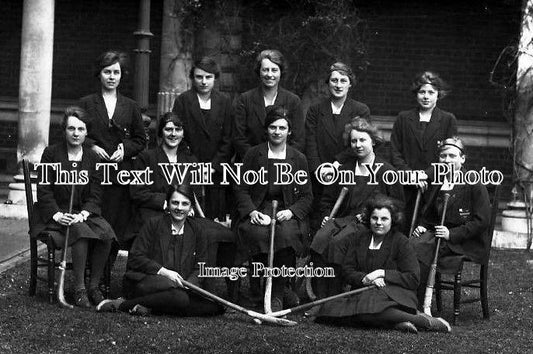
(480, 282)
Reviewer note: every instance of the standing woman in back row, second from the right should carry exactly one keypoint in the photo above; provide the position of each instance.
(325, 122)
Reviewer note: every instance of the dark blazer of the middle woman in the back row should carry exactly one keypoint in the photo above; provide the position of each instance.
(249, 118)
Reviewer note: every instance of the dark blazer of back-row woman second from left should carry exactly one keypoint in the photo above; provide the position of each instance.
(209, 139)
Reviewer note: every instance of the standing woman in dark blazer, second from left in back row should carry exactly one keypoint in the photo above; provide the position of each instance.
(206, 116)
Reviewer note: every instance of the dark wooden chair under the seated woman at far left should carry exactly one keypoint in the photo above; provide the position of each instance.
(52, 245)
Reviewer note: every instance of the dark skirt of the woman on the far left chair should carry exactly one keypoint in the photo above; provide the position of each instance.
(95, 228)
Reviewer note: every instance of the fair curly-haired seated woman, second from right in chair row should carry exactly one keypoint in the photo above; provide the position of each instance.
(361, 137)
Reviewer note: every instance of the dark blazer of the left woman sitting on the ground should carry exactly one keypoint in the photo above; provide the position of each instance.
(150, 250)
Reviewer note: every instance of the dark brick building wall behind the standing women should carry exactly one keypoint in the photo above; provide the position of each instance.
(459, 39)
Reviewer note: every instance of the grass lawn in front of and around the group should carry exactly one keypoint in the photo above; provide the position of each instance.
(31, 325)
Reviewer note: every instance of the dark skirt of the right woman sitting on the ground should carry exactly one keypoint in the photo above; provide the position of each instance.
(369, 302)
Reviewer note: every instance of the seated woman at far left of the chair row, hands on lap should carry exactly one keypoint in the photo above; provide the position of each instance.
(90, 235)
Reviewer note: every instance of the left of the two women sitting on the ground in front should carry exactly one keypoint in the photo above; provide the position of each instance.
(168, 250)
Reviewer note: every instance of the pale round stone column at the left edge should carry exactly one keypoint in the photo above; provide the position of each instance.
(35, 93)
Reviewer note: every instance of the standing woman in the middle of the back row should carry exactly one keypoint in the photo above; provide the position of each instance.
(250, 107)
